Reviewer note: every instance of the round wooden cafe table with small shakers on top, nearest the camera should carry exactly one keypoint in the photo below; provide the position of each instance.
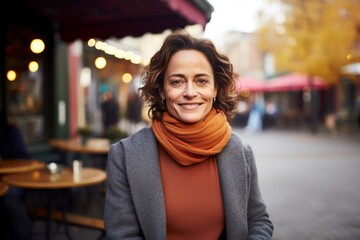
(44, 180)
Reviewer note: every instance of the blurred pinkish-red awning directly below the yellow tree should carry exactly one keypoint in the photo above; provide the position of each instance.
(294, 82)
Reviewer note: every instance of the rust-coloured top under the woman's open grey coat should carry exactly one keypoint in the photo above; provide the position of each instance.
(193, 201)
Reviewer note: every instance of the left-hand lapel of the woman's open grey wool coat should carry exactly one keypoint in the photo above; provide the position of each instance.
(145, 184)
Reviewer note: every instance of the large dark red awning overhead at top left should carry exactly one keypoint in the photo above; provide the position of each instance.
(85, 19)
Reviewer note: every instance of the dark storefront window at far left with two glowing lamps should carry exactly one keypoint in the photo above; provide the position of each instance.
(24, 84)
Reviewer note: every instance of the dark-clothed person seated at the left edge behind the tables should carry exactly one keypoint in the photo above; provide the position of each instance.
(15, 223)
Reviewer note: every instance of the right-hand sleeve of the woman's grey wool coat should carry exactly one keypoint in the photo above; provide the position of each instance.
(260, 226)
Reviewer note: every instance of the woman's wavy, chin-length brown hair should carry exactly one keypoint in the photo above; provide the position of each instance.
(153, 75)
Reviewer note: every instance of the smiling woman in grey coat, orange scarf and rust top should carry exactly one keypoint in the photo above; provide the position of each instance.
(188, 176)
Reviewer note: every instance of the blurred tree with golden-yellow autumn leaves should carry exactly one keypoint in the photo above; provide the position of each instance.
(316, 37)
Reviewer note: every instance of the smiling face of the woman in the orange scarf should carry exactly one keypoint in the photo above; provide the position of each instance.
(189, 86)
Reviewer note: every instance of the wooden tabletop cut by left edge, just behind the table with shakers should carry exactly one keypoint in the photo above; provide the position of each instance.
(19, 165)
